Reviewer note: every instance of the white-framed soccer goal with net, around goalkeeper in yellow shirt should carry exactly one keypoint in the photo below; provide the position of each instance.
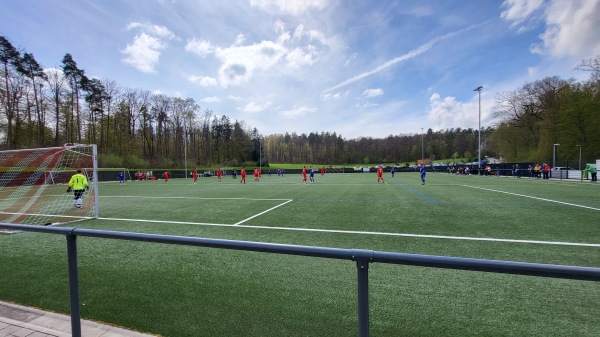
(33, 184)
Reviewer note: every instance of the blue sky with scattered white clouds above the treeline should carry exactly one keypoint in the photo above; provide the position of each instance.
(360, 68)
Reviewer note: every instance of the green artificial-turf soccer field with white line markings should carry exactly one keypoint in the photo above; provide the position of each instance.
(191, 291)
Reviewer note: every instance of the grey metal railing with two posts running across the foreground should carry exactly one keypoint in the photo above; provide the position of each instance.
(362, 258)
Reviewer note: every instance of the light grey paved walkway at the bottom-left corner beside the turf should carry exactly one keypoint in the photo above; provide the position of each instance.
(19, 321)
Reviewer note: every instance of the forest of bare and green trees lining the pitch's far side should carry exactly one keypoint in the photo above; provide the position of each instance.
(134, 128)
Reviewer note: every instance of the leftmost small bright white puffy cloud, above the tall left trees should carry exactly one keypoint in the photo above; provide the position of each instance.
(144, 53)
